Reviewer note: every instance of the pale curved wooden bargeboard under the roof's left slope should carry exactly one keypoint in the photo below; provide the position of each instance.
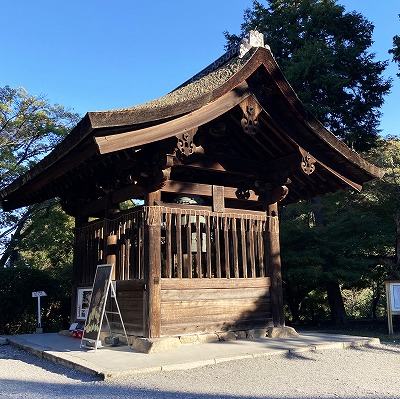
(177, 126)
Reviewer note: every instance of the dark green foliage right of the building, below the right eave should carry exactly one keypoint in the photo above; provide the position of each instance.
(353, 246)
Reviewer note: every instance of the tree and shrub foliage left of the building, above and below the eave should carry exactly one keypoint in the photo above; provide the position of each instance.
(35, 241)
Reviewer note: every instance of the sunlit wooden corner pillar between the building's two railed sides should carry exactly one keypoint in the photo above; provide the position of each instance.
(152, 268)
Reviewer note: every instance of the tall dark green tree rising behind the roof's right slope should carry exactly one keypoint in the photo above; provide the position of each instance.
(324, 53)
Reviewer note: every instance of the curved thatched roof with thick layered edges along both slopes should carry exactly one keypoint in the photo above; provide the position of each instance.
(215, 81)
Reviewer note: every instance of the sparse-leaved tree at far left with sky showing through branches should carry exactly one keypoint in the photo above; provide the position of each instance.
(30, 127)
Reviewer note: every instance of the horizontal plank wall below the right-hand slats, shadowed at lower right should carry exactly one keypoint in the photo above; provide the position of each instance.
(190, 306)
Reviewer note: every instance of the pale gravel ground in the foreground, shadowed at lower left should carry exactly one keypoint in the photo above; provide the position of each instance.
(364, 372)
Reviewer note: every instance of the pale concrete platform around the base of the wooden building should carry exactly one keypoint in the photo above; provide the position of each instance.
(112, 362)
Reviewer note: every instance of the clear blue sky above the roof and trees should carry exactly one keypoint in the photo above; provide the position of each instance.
(93, 55)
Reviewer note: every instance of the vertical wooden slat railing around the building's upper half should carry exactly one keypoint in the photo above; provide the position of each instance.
(195, 243)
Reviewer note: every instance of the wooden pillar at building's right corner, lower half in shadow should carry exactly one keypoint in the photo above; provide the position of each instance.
(274, 265)
